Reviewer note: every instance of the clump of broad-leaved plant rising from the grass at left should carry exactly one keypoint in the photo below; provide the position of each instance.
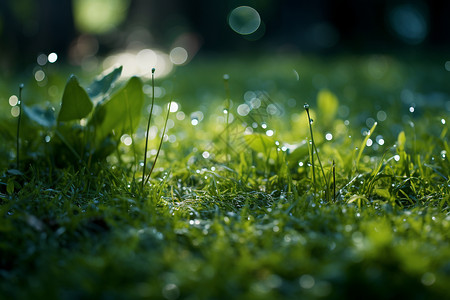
(88, 125)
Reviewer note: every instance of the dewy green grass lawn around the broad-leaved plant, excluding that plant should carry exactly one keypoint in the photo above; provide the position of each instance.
(240, 220)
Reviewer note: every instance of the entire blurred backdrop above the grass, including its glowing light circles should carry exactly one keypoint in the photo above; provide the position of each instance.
(99, 33)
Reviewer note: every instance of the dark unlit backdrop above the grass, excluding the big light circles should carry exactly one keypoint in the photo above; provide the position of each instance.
(30, 27)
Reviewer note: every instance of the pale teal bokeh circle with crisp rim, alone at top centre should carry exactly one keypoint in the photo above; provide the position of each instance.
(244, 20)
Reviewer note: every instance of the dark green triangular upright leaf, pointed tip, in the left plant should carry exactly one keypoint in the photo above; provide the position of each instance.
(76, 103)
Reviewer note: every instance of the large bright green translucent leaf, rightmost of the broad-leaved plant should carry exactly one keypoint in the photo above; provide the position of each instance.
(122, 112)
